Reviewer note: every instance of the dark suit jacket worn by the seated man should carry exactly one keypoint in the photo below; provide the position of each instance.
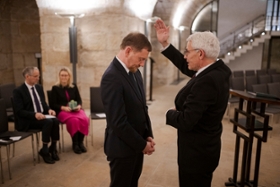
(24, 105)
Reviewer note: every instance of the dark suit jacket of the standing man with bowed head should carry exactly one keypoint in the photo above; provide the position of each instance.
(128, 123)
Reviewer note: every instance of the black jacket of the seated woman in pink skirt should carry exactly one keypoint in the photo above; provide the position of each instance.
(58, 97)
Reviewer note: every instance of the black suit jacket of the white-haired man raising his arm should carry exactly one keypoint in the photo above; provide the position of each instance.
(200, 108)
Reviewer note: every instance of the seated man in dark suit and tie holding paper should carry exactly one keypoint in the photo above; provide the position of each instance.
(31, 110)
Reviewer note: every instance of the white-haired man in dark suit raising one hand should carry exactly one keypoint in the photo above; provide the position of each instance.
(199, 106)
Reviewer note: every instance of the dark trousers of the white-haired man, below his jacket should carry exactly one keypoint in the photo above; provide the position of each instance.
(187, 179)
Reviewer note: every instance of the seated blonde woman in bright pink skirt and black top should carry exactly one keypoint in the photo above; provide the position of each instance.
(76, 121)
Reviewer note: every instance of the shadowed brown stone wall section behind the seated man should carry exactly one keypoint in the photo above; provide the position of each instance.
(20, 38)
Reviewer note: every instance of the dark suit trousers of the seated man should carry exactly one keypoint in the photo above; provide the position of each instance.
(49, 127)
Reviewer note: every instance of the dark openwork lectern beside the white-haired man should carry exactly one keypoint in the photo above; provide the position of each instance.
(249, 124)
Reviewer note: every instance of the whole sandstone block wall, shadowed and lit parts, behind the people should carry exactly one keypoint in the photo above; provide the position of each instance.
(27, 29)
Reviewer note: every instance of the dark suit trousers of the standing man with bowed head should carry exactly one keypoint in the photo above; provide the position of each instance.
(125, 172)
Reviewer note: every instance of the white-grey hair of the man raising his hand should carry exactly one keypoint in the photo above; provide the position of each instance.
(207, 42)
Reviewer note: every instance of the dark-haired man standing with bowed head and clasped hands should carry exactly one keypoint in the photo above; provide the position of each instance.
(128, 134)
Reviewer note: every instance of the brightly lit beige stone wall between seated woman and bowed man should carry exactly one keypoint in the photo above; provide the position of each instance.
(98, 38)
